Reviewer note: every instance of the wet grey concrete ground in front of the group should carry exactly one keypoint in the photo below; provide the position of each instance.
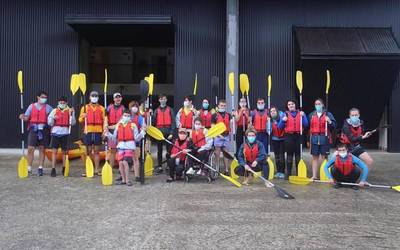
(77, 213)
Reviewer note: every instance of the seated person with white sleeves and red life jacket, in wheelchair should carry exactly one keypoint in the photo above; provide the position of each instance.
(200, 146)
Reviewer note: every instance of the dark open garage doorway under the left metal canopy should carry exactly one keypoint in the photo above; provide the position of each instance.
(130, 48)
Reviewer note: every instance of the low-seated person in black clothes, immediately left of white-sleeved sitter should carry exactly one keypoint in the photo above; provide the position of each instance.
(179, 149)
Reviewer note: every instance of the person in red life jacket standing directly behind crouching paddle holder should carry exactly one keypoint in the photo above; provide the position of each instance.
(259, 118)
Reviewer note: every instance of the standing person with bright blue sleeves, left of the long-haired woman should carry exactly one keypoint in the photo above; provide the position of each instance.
(278, 140)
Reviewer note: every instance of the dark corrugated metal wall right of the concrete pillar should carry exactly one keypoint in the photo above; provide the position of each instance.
(266, 41)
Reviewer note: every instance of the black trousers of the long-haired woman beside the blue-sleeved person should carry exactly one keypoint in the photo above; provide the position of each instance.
(292, 148)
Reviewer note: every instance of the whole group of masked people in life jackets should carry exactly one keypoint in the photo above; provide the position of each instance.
(248, 131)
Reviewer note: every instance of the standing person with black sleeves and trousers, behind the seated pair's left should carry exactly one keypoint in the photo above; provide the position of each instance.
(163, 118)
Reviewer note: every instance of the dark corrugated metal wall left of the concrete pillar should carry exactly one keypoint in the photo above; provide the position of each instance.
(35, 38)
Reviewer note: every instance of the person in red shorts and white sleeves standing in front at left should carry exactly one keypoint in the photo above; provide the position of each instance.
(126, 134)
